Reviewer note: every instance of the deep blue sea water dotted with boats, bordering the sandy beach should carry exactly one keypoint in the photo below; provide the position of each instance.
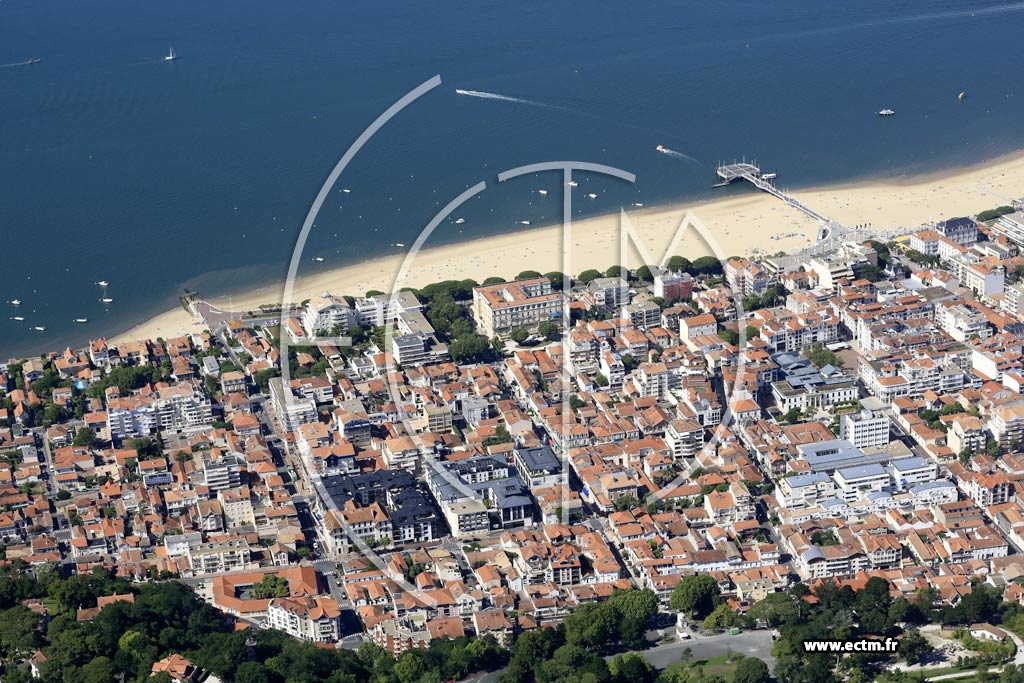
(198, 174)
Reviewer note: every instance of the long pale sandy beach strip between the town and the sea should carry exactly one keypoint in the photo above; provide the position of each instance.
(741, 226)
